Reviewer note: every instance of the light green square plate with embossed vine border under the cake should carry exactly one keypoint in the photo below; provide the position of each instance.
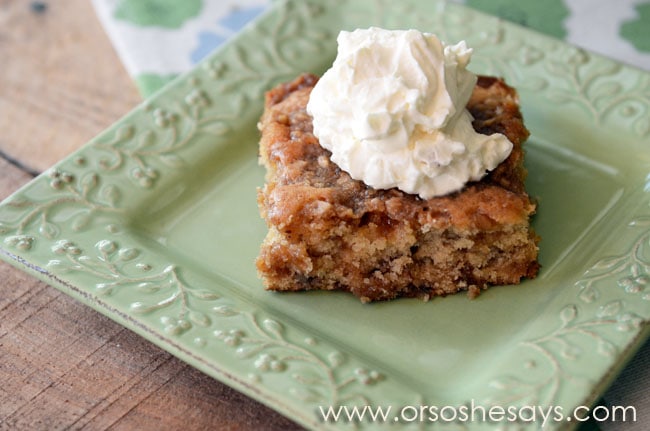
(154, 223)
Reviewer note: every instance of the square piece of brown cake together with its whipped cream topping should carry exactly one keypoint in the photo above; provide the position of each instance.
(397, 173)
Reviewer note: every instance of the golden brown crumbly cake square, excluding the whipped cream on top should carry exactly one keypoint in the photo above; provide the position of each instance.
(328, 231)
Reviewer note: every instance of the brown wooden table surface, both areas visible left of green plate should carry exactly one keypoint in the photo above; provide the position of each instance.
(63, 365)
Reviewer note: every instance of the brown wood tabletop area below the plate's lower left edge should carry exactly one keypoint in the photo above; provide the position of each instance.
(64, 366)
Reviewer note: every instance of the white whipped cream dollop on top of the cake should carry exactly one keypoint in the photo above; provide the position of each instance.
(392, 111)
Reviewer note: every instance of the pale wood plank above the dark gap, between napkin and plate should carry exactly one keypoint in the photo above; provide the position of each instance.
(60, 80)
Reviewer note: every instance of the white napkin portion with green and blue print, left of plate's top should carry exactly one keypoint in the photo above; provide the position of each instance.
(159, 39)
